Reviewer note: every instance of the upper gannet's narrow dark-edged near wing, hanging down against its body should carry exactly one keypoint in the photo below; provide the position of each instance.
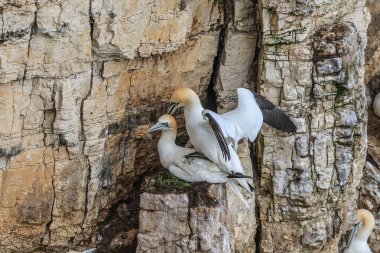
(211, 118)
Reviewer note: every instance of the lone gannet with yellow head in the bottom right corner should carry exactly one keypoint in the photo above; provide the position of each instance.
(359, 235)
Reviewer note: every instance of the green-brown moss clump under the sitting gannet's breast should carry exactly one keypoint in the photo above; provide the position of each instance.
(167, 182)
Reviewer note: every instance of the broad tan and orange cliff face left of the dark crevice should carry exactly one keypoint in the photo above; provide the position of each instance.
(80, 83)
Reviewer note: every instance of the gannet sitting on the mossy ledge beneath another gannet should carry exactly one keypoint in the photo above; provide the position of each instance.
(190, 168)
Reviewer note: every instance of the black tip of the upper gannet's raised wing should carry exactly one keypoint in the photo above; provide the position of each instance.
(273, 116)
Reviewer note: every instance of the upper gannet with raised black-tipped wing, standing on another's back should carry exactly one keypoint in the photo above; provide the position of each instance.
(217, 136)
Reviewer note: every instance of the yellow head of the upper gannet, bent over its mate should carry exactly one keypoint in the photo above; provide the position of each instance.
(182, 97)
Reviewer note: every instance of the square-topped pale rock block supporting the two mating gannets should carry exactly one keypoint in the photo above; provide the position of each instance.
(187, 222)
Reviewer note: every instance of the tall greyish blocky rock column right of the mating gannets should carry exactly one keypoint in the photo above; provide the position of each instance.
(312, 62)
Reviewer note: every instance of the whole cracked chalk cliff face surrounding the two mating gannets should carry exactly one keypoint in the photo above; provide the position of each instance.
(81, 82)
